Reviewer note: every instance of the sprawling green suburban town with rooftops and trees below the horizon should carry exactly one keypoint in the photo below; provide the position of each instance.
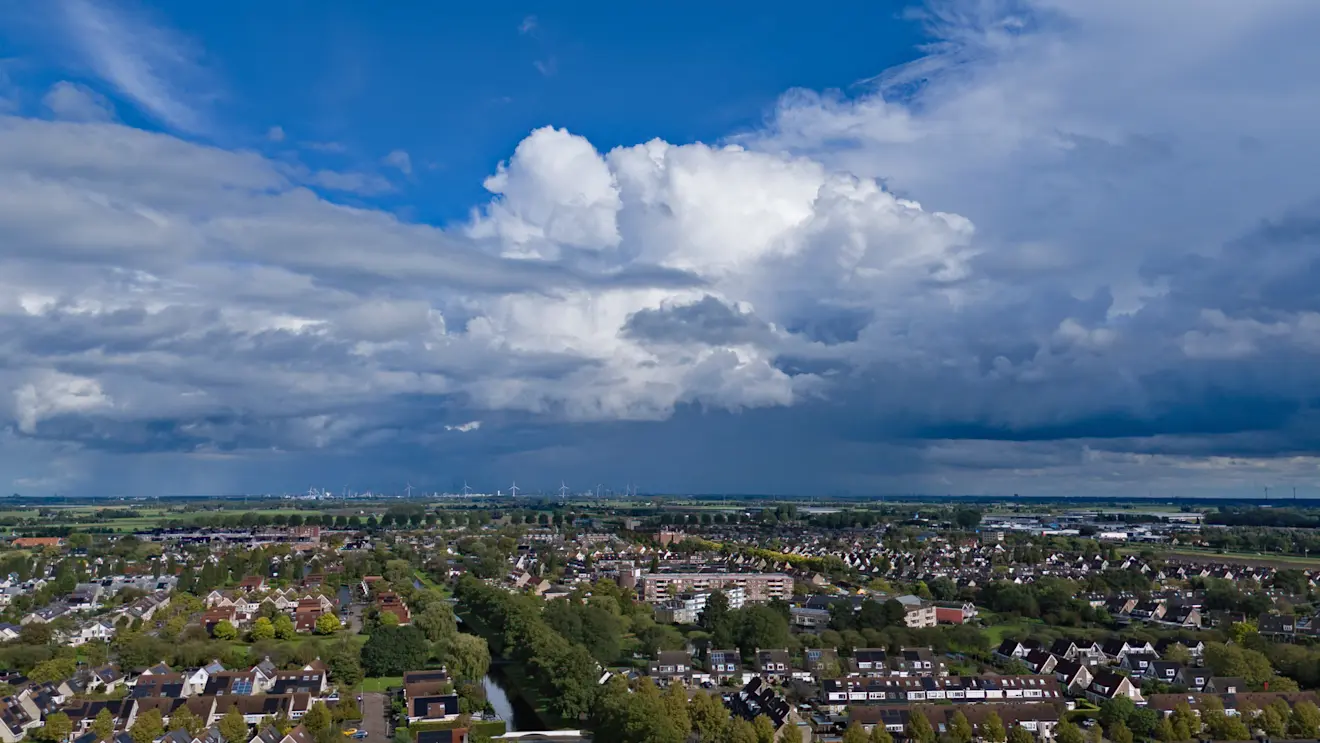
(304, 621)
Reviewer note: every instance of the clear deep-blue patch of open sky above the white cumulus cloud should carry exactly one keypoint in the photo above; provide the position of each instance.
(459, 88)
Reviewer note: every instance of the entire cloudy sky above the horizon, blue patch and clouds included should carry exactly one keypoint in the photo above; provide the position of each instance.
(1039, 247)
